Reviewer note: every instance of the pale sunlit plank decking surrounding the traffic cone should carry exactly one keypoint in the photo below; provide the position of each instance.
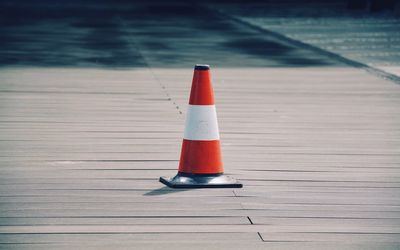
(317, 151)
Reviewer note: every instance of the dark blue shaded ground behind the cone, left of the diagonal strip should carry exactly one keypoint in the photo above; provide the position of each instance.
(133, 34)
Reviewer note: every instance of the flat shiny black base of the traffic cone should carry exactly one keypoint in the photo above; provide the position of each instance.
(201, 181)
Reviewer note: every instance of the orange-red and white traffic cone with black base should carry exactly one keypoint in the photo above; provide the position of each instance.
(200, 165)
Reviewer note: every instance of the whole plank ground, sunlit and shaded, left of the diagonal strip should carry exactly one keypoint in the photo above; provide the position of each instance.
(92, 104)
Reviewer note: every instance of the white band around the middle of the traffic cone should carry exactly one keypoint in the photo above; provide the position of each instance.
(201, 123)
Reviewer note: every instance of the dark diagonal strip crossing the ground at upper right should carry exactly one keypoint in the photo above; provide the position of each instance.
(372, 70)
